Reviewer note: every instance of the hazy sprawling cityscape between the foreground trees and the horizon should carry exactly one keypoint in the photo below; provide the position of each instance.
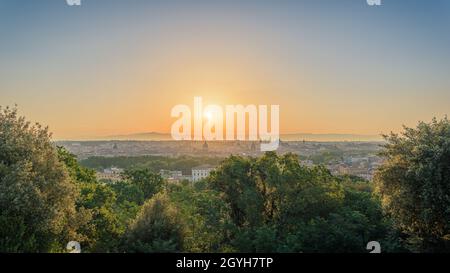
(341, 158)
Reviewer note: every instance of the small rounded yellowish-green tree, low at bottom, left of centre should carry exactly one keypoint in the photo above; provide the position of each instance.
(157, 228)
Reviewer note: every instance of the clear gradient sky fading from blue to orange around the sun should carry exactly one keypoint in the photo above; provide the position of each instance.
(119, 66)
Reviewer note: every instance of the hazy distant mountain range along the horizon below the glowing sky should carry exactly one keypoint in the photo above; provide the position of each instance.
(155, 136)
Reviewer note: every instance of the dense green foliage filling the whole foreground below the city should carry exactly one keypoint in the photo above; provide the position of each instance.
(267, 204)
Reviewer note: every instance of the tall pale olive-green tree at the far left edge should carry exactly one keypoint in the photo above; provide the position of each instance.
(37, 194)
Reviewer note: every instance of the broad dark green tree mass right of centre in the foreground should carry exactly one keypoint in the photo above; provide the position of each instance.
(278, 205)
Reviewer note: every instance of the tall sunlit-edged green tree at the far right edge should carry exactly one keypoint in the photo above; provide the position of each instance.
(414, 182)
